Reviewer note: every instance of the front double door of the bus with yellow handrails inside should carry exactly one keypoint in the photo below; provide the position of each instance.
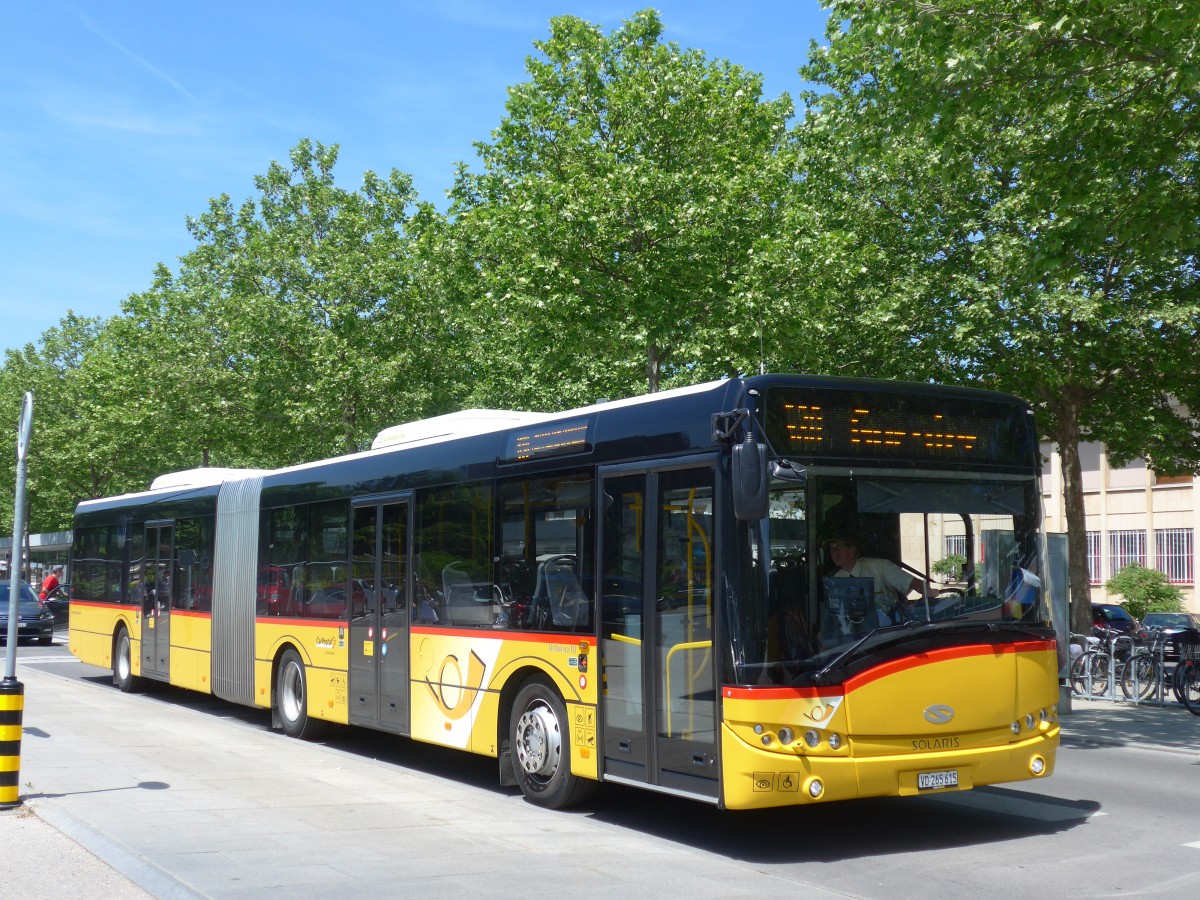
(658, 583)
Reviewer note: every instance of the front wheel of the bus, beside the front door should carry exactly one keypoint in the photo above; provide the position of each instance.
(542, 755)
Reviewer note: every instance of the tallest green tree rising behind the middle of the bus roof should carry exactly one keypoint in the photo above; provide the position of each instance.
(608, 239)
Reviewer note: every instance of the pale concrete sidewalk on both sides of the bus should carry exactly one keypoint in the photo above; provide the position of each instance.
(127, 806)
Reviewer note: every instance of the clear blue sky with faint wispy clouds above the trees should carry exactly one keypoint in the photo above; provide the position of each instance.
(118, 121)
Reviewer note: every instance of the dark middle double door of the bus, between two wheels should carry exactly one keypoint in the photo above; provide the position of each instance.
(379, 597)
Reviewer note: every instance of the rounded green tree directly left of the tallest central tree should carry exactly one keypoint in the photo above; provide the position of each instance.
(311, 309)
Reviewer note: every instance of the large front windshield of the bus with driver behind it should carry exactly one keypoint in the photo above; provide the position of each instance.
(856, 562)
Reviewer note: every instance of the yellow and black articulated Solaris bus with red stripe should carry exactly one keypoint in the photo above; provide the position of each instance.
(723, 592)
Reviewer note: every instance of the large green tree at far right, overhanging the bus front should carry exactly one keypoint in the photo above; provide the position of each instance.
(1035, 167)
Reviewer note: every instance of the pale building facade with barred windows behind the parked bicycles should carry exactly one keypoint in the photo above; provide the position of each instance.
(1133, 517)
